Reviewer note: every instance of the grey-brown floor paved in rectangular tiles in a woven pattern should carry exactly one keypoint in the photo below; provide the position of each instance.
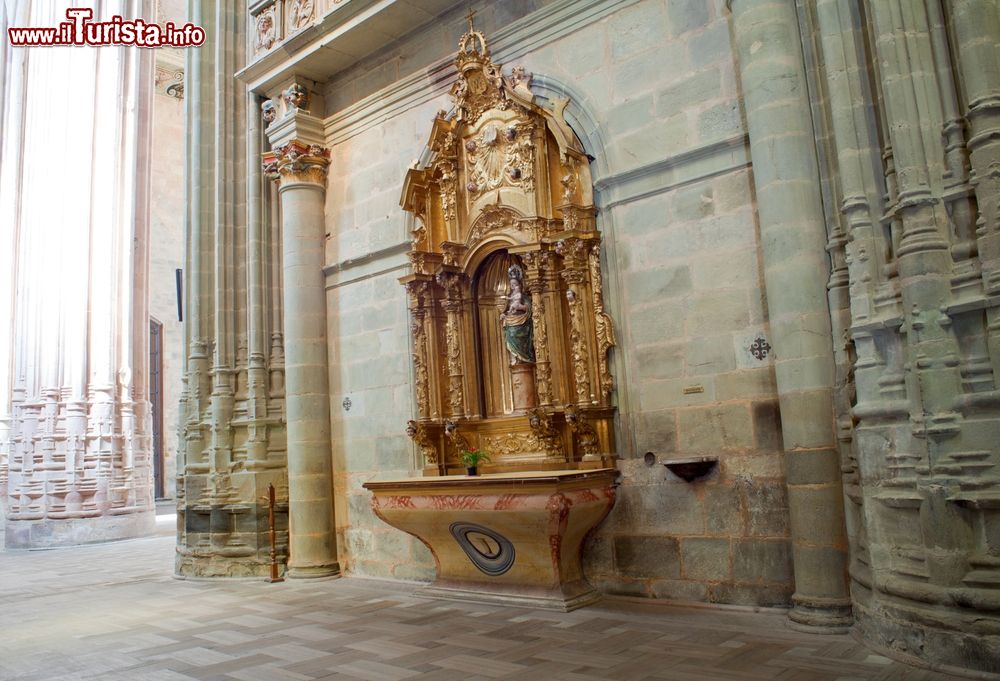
(113, 613)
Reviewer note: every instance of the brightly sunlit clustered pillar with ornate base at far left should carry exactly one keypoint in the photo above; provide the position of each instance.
(75, 462)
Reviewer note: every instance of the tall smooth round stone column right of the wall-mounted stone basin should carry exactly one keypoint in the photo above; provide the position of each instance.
(793, 239)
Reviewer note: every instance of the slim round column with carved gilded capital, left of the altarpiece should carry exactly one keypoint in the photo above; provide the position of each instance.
(300, 165)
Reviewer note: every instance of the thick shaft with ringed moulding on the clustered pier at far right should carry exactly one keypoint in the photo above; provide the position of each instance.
(924, 256)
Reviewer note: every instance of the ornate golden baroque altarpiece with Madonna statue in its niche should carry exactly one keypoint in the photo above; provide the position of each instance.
(509, 333)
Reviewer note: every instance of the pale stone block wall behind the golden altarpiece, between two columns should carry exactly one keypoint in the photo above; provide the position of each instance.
(684, 288)
